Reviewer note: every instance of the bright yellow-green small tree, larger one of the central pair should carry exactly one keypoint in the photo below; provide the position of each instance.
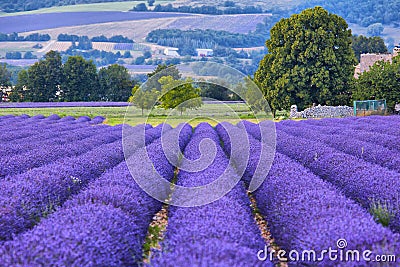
(180, 94)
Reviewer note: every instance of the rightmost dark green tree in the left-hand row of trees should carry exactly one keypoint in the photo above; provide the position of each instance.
(115, 83)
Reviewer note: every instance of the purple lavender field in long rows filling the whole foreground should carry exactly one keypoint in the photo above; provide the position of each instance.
(70, 196)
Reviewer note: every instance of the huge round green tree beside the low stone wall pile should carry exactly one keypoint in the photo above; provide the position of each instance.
(310, 60)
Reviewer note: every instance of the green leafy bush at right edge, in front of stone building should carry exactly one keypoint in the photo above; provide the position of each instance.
(382, 81)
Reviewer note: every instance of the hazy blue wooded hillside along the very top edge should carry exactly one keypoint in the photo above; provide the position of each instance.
(359, 12)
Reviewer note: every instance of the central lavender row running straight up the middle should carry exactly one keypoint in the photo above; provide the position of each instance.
(222, 233)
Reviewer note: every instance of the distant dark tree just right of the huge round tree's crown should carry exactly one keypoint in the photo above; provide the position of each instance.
(363, 45)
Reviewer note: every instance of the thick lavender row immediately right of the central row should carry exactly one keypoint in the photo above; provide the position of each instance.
(306, 212)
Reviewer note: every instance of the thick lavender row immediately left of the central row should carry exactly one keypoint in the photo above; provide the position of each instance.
(112, 214)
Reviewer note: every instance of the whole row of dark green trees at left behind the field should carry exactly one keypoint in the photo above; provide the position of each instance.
(75, 80)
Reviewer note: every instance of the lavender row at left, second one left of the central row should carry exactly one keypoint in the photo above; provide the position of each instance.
(29, 196)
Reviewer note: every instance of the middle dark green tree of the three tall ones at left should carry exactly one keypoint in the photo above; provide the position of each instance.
(81, 80)
